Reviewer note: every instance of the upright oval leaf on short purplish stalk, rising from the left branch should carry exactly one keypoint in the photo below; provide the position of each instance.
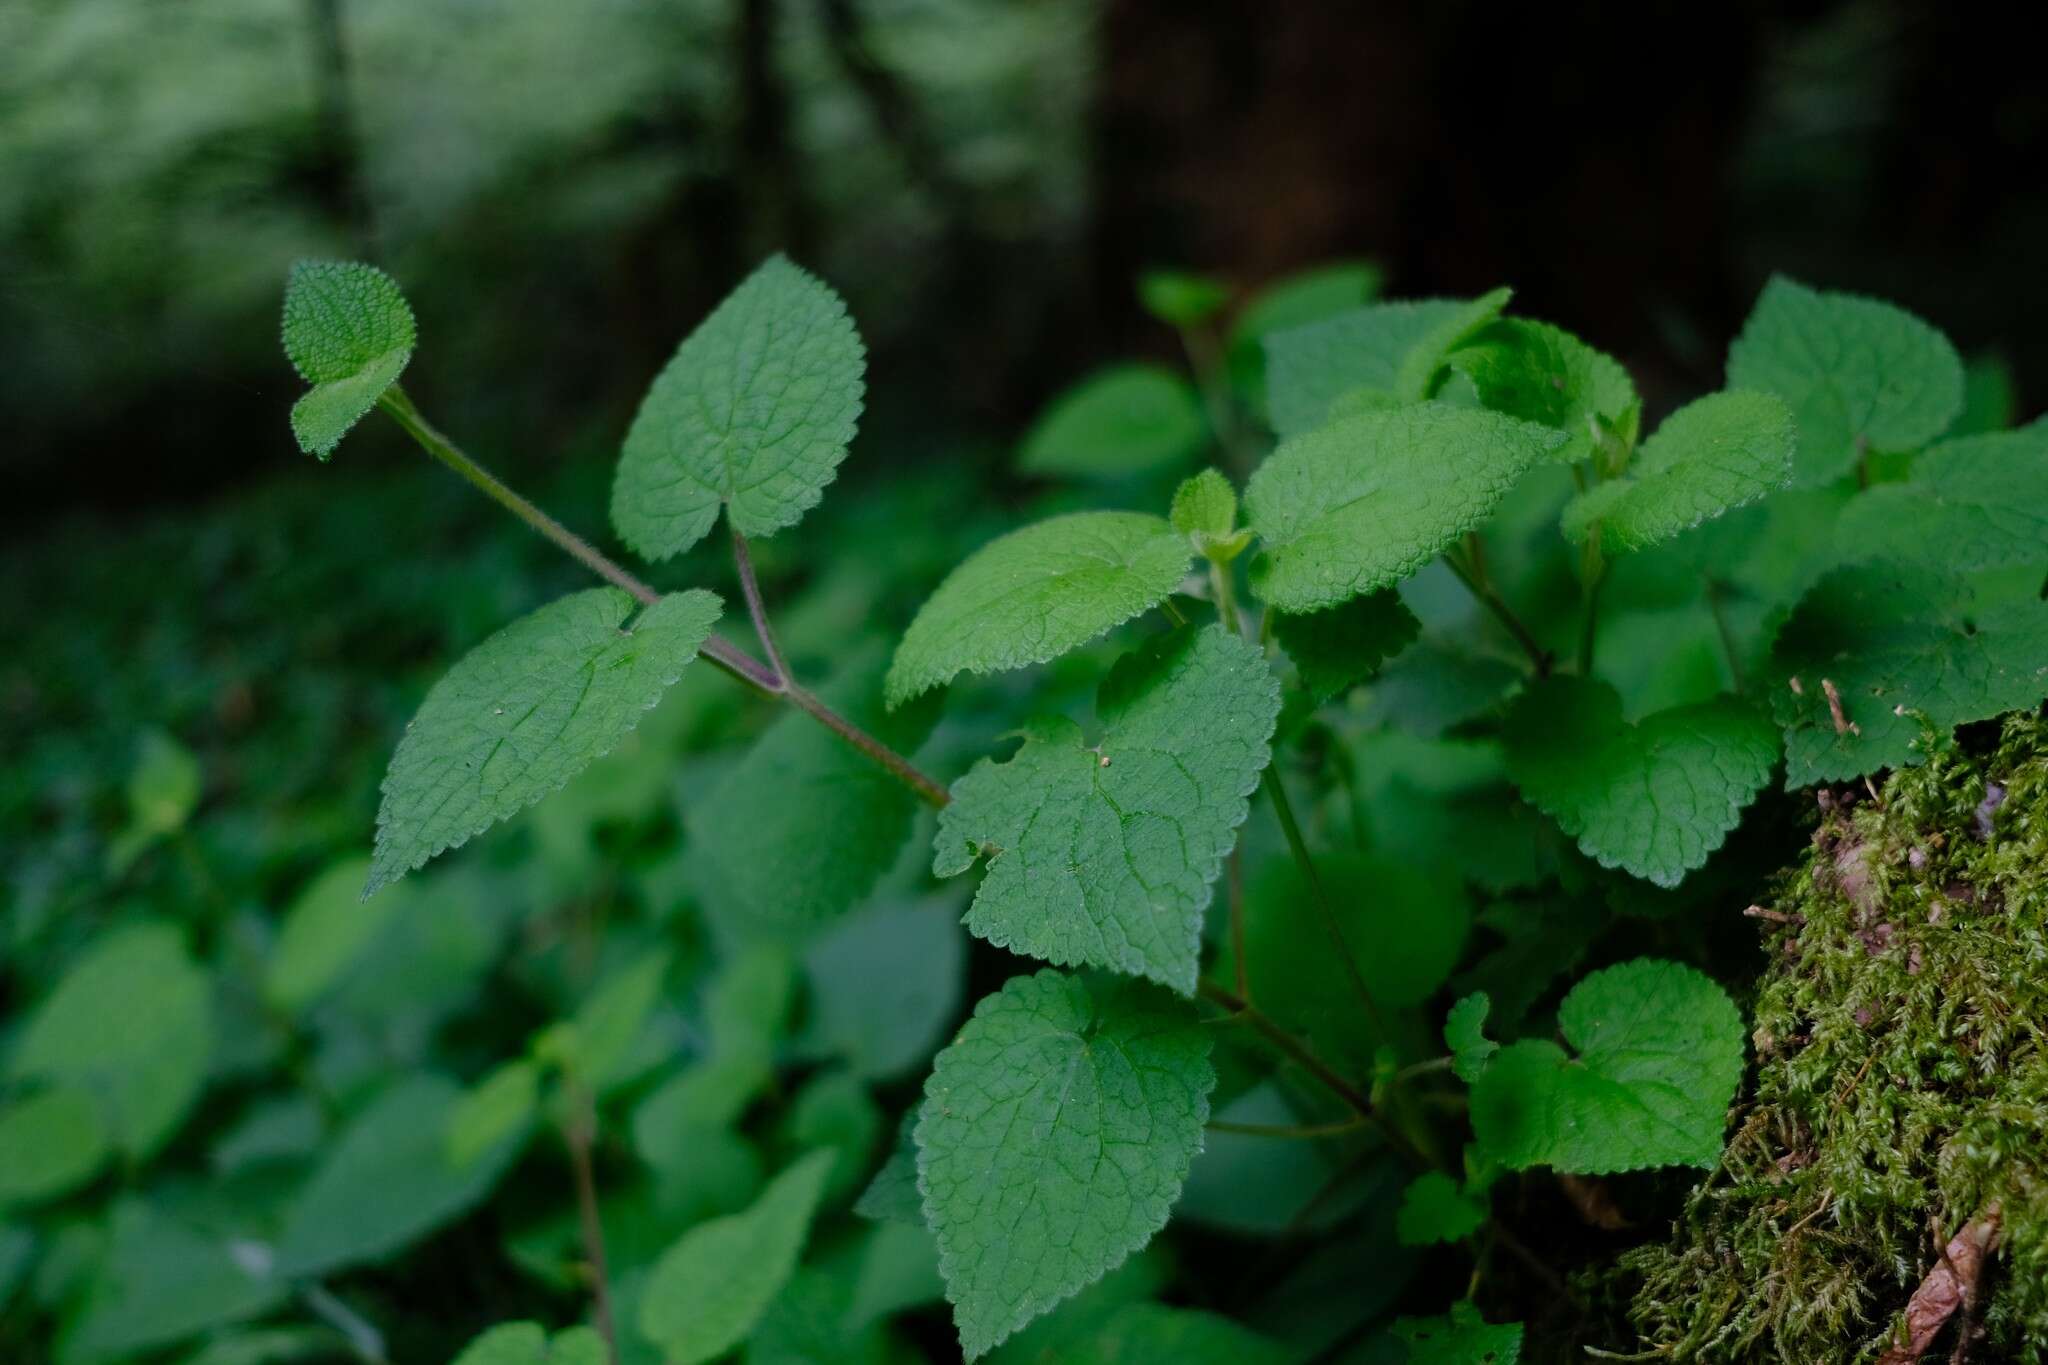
(753, 414)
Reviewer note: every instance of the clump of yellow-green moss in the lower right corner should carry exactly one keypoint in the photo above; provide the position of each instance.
(1902, 1084)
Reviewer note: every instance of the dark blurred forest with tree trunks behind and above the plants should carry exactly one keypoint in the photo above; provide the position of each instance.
(566, 189)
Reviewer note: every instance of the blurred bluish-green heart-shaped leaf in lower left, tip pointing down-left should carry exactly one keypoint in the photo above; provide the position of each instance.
(386, 1182)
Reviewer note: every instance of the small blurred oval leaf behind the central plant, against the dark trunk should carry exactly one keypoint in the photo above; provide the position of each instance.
(1123, 421)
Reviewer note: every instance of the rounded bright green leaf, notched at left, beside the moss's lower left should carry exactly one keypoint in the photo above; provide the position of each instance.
(1660, 1053)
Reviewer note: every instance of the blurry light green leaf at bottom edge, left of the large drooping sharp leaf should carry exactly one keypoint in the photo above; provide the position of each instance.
(710, 1290)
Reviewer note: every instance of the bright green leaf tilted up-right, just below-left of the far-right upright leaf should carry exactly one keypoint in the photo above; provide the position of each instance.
(1713, 455)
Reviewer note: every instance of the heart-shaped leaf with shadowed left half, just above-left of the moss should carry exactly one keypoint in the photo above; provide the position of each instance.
(1654, 797)
